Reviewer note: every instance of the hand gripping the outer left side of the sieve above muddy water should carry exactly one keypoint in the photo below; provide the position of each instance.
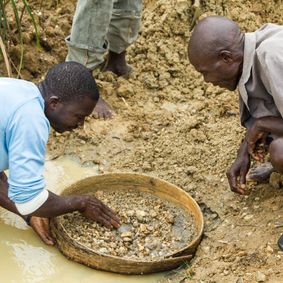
(41, 226)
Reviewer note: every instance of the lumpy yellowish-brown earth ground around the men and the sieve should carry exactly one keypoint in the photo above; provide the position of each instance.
(171, 125)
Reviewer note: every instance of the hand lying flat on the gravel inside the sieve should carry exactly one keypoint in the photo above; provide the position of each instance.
(98, 211)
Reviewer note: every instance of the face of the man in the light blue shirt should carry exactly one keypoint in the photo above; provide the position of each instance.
(66, 116)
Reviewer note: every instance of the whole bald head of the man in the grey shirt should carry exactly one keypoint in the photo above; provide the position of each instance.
(216, 50)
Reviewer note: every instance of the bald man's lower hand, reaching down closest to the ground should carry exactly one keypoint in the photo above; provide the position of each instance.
(239, 170)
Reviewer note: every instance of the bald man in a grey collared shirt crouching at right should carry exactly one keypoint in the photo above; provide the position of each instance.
(228, 58)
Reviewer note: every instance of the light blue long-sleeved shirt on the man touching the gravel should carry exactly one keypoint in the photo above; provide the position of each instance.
(24, 131)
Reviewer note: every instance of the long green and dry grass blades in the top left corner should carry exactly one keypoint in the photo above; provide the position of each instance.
(18, 9)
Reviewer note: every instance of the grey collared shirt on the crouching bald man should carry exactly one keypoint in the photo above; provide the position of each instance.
(261, 83)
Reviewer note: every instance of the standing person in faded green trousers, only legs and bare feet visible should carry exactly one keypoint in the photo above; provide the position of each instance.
(101, 26)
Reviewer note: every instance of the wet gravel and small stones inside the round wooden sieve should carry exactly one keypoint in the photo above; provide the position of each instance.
(151, 228)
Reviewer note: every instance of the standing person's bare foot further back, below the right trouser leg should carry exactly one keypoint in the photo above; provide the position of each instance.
(116, 63)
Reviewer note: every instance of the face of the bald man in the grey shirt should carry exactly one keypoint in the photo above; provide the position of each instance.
(218, 71)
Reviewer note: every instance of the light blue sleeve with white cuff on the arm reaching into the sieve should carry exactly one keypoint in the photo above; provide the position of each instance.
(27, 136)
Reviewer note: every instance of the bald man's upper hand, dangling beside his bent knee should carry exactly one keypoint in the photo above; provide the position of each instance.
(255, 134)
